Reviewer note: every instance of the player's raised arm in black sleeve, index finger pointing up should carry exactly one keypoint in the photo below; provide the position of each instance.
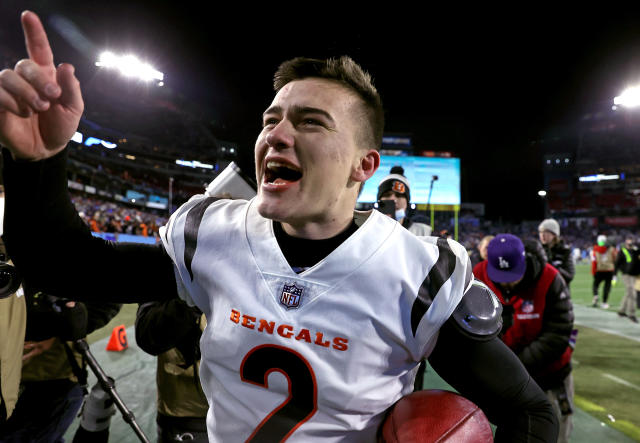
(40, 107)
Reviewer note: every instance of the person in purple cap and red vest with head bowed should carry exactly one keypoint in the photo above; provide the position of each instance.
(537, 318)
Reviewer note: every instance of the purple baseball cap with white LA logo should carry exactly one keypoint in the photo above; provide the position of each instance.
(506, 260)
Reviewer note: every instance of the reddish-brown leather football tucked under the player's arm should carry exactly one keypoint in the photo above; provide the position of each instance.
(435, 416)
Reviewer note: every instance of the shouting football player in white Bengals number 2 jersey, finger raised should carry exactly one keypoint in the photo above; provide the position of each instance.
(317, 316)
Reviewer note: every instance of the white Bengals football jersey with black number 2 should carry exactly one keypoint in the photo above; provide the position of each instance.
(315, 356)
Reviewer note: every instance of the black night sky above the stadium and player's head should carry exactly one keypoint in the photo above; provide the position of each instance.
(479, 83)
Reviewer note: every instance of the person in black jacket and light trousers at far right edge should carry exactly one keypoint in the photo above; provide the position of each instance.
(628, 262)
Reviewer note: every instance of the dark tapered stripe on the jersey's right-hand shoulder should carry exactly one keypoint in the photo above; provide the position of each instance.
(438, 275)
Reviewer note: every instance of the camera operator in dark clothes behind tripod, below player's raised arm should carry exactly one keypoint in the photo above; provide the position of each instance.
(53, 379)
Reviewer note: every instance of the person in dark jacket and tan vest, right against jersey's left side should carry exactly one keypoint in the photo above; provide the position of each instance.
(171, 330)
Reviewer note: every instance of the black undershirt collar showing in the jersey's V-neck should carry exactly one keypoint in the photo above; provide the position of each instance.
(303, 253)
